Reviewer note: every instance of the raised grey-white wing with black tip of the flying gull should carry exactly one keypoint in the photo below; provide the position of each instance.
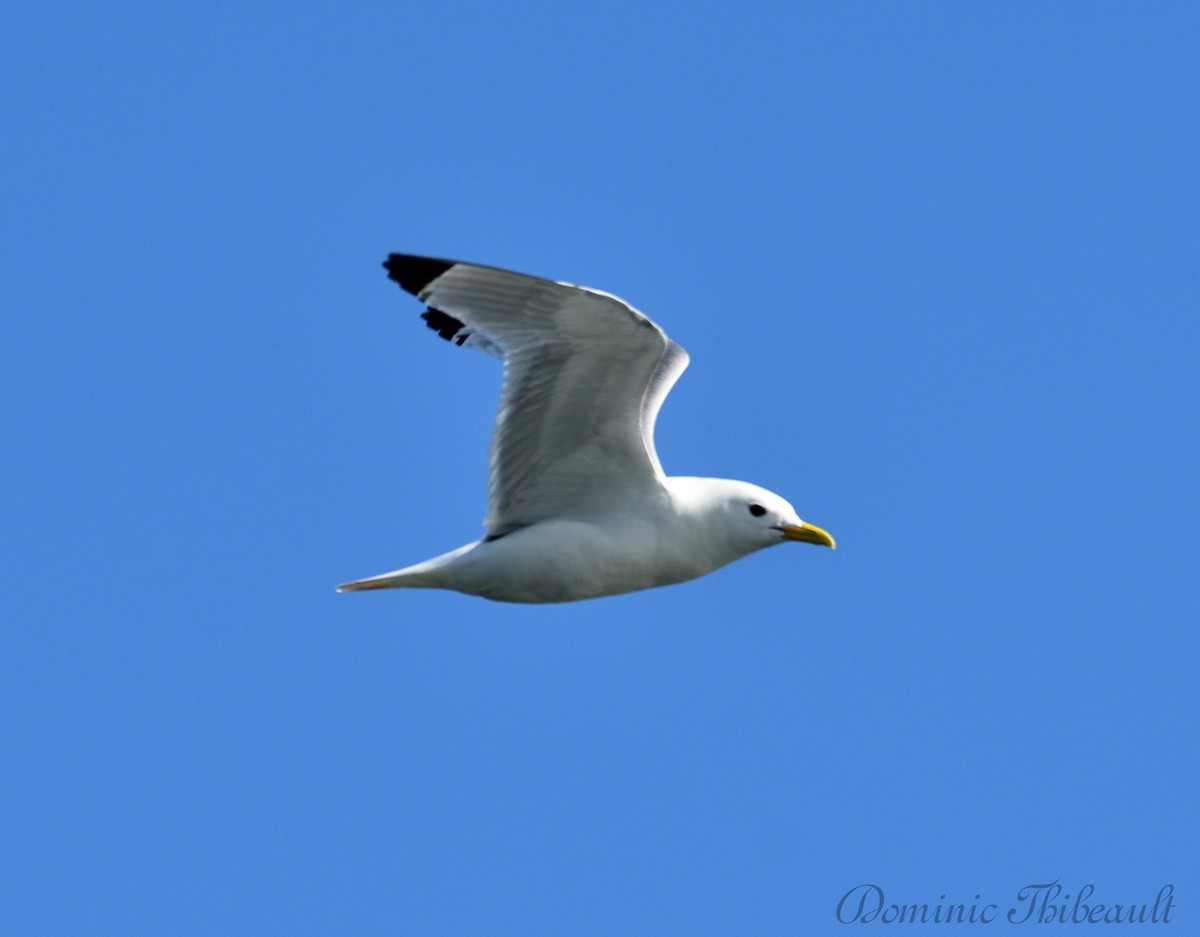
(585, 376)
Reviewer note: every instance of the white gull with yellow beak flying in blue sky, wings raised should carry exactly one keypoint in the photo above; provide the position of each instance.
(578, 503)
